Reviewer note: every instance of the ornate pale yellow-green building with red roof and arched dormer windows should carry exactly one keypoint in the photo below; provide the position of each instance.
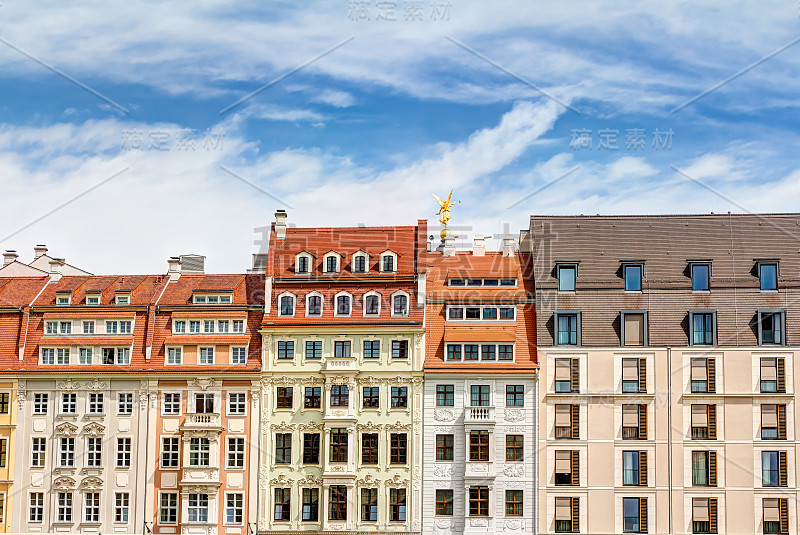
(343, 346)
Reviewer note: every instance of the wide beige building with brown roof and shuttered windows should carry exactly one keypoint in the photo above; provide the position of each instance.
(667, 347)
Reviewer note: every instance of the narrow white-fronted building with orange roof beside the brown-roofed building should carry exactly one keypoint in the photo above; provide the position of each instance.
(480, 391)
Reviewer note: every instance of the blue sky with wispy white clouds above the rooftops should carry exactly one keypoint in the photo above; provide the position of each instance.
(482, 98)
